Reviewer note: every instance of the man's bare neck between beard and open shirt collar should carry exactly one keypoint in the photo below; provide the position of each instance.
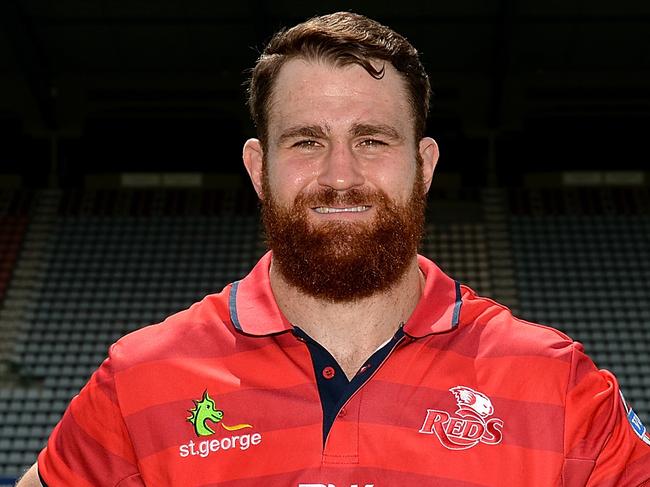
(351, 331)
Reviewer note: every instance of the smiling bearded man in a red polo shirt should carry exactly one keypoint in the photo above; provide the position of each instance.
(344, 358)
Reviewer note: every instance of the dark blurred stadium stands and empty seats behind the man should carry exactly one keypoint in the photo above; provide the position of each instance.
(123, 199)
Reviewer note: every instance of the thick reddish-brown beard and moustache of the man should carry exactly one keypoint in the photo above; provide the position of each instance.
(339, 260)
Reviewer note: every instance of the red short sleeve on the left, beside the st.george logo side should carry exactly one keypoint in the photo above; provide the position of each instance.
(90, 447)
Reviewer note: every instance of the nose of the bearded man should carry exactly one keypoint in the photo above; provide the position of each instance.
(340, 169)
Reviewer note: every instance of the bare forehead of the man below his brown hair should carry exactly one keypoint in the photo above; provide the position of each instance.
(318, 92)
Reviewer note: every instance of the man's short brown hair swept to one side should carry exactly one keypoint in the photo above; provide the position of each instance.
(342, 38)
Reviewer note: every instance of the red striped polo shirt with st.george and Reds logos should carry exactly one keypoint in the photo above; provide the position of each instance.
(229, 393)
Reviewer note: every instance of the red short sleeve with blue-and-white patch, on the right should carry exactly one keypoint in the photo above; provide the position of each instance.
(605, 443)
